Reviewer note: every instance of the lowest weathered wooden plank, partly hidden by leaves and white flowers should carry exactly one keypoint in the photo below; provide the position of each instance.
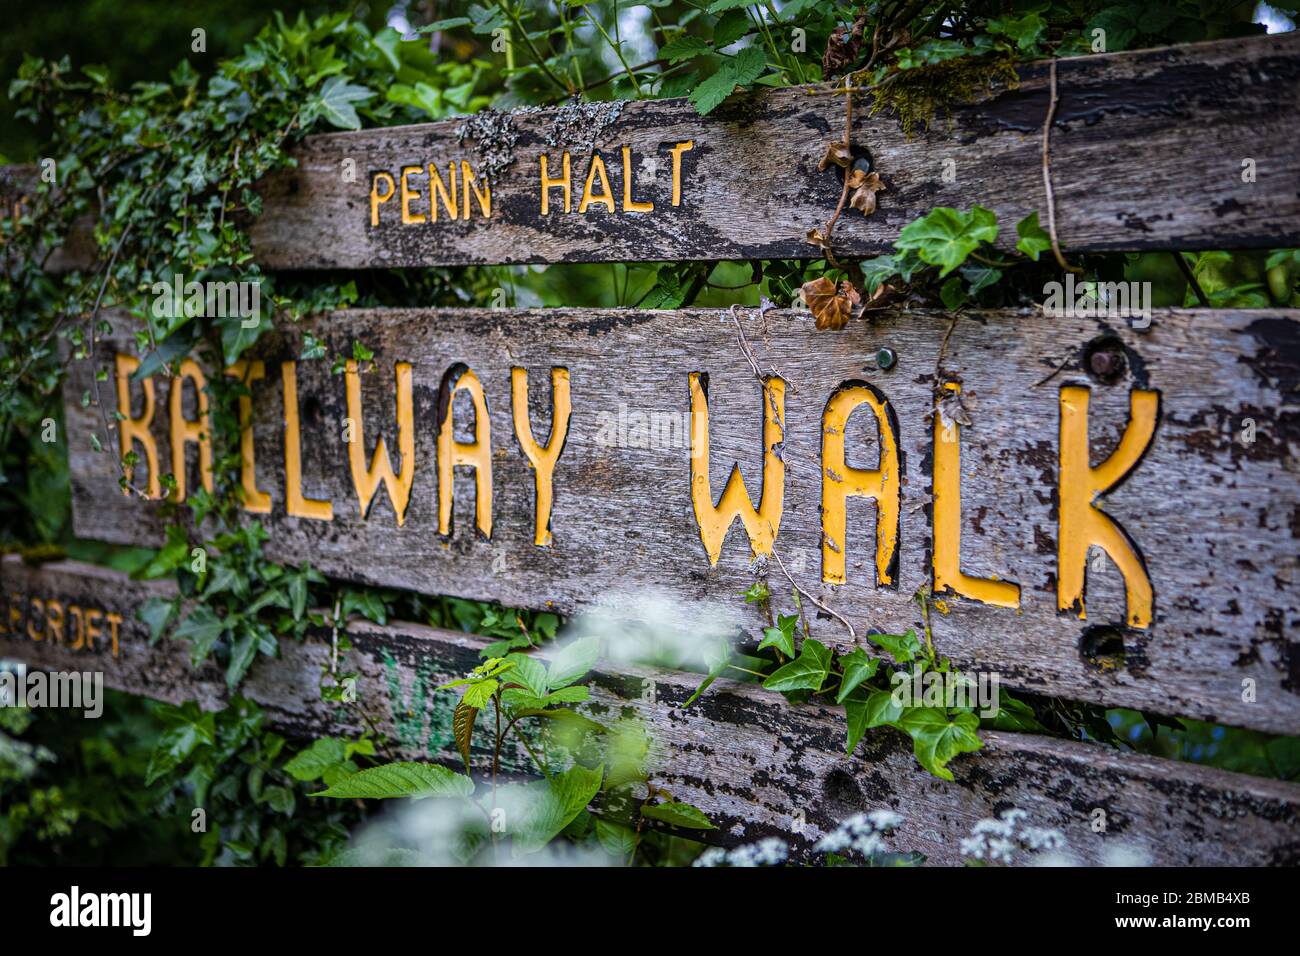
(746, 756)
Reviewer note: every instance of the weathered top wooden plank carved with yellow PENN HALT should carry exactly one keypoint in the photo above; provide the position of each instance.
(1147, 153)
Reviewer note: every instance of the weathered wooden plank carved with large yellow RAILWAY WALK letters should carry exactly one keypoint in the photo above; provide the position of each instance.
(1214, 518)
